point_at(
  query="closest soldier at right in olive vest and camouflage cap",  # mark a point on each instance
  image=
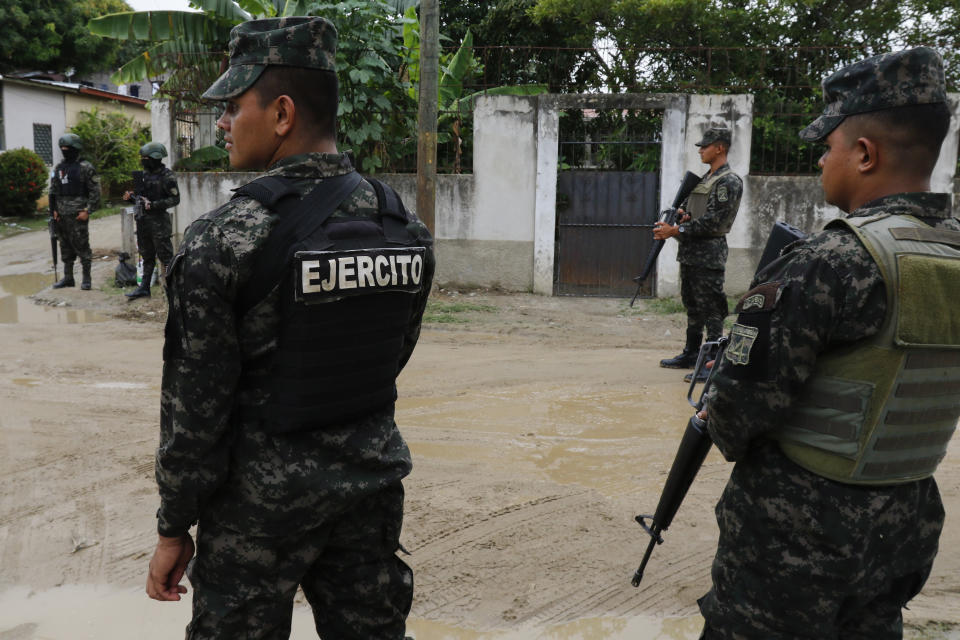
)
(838, 392)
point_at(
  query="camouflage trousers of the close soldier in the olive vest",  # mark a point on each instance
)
(801, 556)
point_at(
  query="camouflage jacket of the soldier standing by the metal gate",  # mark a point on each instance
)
(703, 242)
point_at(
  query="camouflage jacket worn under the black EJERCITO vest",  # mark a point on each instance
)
(214, 460)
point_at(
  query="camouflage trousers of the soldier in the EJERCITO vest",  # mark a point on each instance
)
(358, 588)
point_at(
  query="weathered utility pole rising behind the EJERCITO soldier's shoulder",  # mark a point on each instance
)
(427, 116)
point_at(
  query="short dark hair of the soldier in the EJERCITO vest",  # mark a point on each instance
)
(314, 92)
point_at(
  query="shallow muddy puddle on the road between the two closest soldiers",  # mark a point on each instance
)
(581, 438)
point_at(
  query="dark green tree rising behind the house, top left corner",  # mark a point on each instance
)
(51, 35)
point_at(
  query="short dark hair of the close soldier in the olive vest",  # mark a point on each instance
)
(915, 132)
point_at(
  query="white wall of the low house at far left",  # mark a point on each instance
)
(23, 106)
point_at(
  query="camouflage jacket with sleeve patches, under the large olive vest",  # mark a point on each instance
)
(823, 293)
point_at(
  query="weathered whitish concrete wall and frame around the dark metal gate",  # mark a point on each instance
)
(497, 227)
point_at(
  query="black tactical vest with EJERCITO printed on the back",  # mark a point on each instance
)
(347, 290)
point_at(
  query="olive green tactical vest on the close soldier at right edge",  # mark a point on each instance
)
(883, 410)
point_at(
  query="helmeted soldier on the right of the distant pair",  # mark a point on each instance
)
(160, 192)
